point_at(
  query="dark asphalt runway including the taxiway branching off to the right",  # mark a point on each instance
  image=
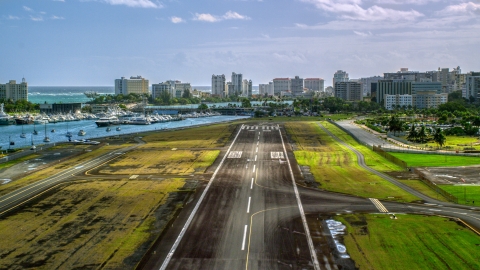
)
(249, 218)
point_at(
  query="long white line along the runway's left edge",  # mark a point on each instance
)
(192, 215)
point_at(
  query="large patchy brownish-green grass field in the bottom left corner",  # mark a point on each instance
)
(85, 225)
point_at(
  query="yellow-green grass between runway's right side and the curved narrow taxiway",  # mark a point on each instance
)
(335, 168)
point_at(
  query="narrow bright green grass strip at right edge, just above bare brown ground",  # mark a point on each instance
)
(434, 160)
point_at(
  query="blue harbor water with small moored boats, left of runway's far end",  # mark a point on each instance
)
(11, 133)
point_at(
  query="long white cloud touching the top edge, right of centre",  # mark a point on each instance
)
(351, 9)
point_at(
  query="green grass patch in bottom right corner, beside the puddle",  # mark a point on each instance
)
(410, 242)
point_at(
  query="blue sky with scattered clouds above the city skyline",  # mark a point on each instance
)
(93, 42)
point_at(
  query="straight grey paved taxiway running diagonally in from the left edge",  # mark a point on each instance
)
(24, 194)
